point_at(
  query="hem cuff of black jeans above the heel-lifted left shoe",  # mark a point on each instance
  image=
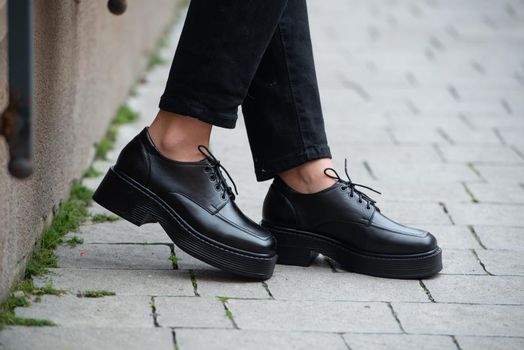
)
(192, 108)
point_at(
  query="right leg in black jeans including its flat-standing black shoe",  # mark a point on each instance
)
(309, 208)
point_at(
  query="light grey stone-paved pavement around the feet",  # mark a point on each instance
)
(426, 100)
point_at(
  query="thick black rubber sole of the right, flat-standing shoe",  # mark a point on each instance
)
(300, 248)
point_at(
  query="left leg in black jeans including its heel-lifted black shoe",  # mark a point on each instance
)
(160, 175)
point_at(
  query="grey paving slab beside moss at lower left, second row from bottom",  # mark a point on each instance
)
(108, 312)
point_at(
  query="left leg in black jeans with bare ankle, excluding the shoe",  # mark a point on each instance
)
(218, 53)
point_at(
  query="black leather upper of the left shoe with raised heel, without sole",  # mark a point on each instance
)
(193, 190)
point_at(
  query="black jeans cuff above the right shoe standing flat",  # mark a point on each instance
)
(268, 170)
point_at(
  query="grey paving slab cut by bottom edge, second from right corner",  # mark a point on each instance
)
(399, 342)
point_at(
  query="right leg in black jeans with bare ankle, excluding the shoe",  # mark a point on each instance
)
(282, 109)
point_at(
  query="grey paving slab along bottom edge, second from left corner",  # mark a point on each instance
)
(219, 339)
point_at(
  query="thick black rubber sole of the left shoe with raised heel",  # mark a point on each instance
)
(130, 200)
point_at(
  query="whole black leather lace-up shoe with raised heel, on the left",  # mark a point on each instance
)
(192, 202)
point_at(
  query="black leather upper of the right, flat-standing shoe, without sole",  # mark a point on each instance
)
(336, 214)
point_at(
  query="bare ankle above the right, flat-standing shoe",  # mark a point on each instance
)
(309, 177)
